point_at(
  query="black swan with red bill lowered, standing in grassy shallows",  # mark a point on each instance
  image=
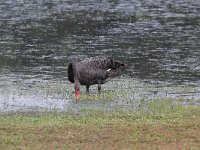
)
(93, 70)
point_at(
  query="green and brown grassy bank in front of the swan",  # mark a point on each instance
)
(157, 124)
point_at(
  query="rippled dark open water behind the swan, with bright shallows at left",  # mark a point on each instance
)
(158, 39)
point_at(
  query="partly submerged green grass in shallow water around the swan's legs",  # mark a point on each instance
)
(123, 91)
